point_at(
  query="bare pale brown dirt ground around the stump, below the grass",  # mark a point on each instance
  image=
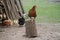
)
(46, 31)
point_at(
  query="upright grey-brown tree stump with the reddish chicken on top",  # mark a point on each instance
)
(31, 30)
